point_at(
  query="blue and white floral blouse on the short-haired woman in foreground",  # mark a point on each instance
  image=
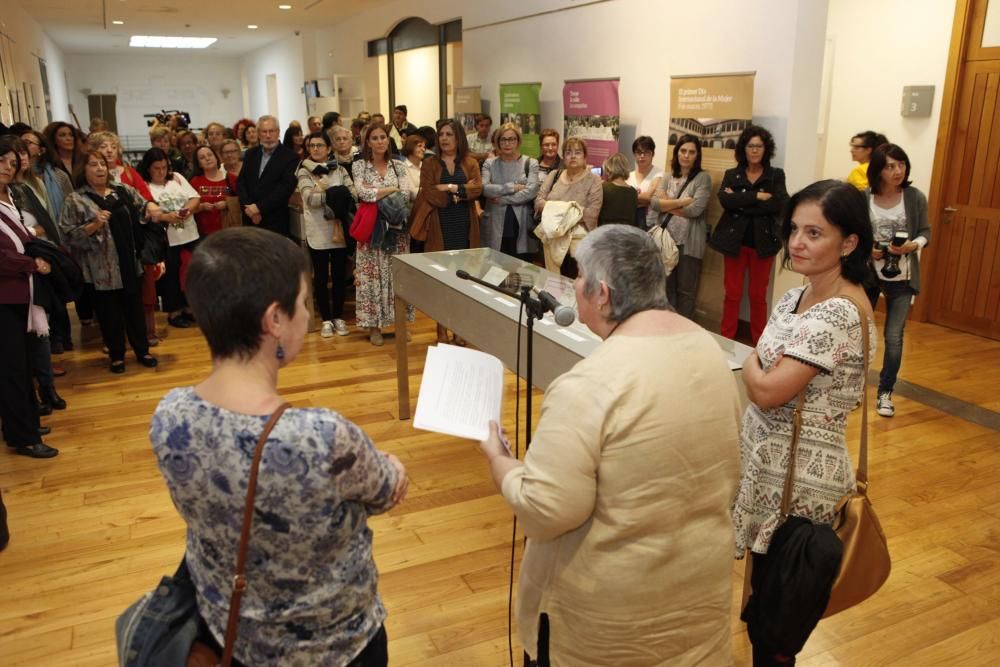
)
(312, 594)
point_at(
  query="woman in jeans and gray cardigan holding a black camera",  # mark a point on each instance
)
(899, 219)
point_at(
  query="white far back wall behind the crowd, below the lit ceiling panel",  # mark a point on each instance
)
(146, 81)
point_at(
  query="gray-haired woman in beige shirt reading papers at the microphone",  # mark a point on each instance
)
(624, 495)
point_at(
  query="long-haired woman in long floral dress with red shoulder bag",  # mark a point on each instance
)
(377, 175)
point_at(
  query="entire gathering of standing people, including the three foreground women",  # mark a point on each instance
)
(133, 233)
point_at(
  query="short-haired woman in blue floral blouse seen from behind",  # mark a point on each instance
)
(312, 597)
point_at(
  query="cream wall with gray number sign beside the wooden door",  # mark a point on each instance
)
(879, 47)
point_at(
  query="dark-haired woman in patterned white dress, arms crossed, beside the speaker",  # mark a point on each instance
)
(812, 342)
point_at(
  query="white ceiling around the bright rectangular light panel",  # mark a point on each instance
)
(85, 26)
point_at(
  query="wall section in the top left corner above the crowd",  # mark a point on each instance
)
(31, 43)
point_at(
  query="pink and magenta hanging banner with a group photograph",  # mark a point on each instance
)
(591, 112)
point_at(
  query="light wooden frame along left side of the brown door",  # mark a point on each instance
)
(968, 25)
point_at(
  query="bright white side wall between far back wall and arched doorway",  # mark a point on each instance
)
(284, 59)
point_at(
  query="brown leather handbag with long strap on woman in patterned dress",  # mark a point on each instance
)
(866, 563)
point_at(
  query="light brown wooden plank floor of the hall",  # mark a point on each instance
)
(94, 528)
